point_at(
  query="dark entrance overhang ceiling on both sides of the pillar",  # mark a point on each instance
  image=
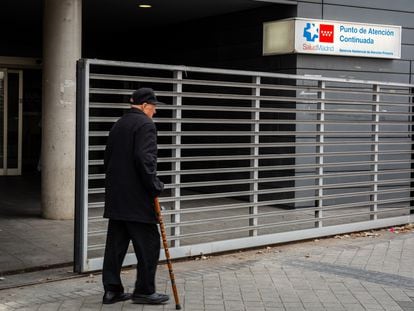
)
(118, 12)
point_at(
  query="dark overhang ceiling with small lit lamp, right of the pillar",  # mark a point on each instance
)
(121, 12)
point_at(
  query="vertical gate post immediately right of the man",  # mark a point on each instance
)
(177, 115)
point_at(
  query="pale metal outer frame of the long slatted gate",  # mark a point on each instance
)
(81, 261)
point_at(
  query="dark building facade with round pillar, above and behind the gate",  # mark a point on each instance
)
(44, 39)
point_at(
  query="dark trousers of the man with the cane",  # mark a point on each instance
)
(146, 241)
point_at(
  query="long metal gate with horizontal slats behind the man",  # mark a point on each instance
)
(250, 158)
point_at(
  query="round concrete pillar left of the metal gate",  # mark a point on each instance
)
(62, 21)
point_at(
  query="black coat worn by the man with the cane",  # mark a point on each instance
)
(131, 169)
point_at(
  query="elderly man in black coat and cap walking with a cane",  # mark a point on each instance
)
(130, 188)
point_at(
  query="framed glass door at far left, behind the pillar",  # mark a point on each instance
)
(11, 91)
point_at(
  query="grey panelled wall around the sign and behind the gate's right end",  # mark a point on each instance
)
(397, 12)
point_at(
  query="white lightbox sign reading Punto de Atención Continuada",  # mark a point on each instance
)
(310, 36)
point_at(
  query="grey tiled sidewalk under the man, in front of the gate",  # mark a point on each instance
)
(372, 272)
